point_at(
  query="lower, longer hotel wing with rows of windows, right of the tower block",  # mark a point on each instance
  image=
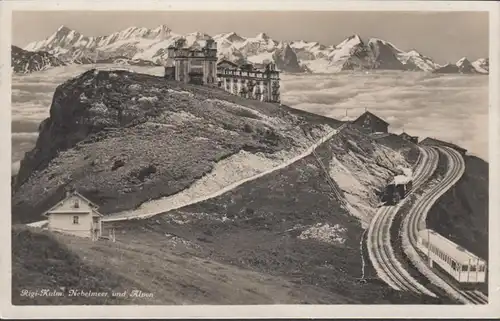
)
(247, 82)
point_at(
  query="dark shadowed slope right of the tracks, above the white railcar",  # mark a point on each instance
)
(462, 213)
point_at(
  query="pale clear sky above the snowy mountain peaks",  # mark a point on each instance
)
(444, 36)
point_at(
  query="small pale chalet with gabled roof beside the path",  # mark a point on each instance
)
(75, 215)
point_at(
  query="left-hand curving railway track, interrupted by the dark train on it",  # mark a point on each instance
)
(380, 250)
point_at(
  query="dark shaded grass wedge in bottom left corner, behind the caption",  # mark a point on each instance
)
(39, 262)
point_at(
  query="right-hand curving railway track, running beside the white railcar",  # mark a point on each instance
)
(417, 218)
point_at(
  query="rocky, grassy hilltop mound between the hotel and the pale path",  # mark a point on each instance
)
(124, 138)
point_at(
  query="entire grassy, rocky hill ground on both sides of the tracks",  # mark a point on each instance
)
(294, 235)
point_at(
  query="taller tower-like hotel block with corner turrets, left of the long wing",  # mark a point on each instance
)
(195, 64)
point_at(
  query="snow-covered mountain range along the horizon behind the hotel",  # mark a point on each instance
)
(136, 45)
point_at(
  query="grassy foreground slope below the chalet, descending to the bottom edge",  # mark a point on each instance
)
(168, 268)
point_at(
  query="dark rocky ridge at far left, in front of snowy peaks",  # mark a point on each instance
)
(23, 61)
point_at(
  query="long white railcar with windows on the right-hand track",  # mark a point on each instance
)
(462, 265)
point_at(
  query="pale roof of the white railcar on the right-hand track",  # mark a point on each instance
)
(455, 251)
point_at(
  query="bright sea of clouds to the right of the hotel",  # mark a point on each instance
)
(450, 107)
